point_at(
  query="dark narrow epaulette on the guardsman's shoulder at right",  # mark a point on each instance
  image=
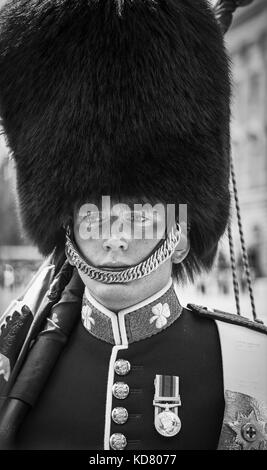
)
(228, 318)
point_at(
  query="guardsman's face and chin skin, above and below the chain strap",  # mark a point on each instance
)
(120, 238)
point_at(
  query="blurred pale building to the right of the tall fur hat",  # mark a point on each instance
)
(247, 42)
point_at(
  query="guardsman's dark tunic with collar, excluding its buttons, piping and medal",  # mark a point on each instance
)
(73, 411)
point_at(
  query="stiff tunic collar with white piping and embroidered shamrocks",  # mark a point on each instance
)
(132, 324)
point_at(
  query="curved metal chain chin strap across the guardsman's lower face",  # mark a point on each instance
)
(164, 252)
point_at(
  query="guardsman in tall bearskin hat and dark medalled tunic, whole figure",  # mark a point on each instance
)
(117, 115)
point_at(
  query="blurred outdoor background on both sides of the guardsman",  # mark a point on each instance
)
(247, 44)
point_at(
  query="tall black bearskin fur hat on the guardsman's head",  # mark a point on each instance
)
(121, 98)
